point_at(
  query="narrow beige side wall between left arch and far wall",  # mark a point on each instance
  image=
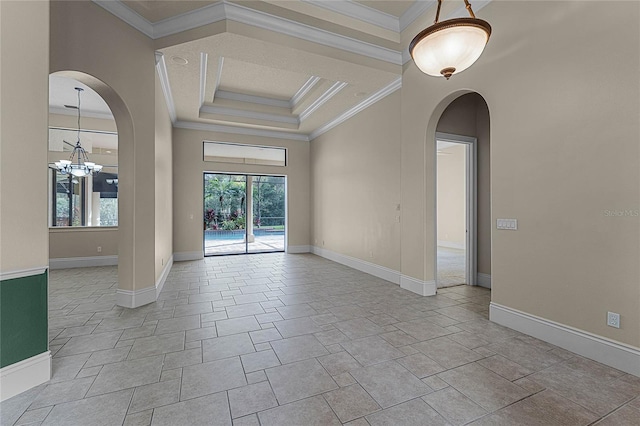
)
(163, 182)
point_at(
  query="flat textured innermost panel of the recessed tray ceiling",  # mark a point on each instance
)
(258, 80)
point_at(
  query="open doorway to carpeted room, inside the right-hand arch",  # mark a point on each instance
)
(455, 211)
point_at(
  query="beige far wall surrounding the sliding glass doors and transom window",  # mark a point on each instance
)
(188, 181)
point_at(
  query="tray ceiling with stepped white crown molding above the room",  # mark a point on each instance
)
(280, 68)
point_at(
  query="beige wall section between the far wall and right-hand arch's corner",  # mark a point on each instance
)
(355, 171)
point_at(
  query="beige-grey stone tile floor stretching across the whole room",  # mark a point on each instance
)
(277, 339)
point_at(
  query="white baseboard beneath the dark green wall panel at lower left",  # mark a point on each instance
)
(24, 375)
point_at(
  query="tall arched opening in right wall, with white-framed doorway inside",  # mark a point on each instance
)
(460, 254)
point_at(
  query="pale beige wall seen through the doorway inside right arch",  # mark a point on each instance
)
(452, 198)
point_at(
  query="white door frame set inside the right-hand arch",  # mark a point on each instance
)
(471, 204)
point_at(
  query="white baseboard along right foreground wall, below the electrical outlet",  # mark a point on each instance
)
(608, 352)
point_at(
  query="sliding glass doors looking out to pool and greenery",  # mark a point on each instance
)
(244, 214)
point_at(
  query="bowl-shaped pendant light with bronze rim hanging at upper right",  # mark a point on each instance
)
(450, 46)
